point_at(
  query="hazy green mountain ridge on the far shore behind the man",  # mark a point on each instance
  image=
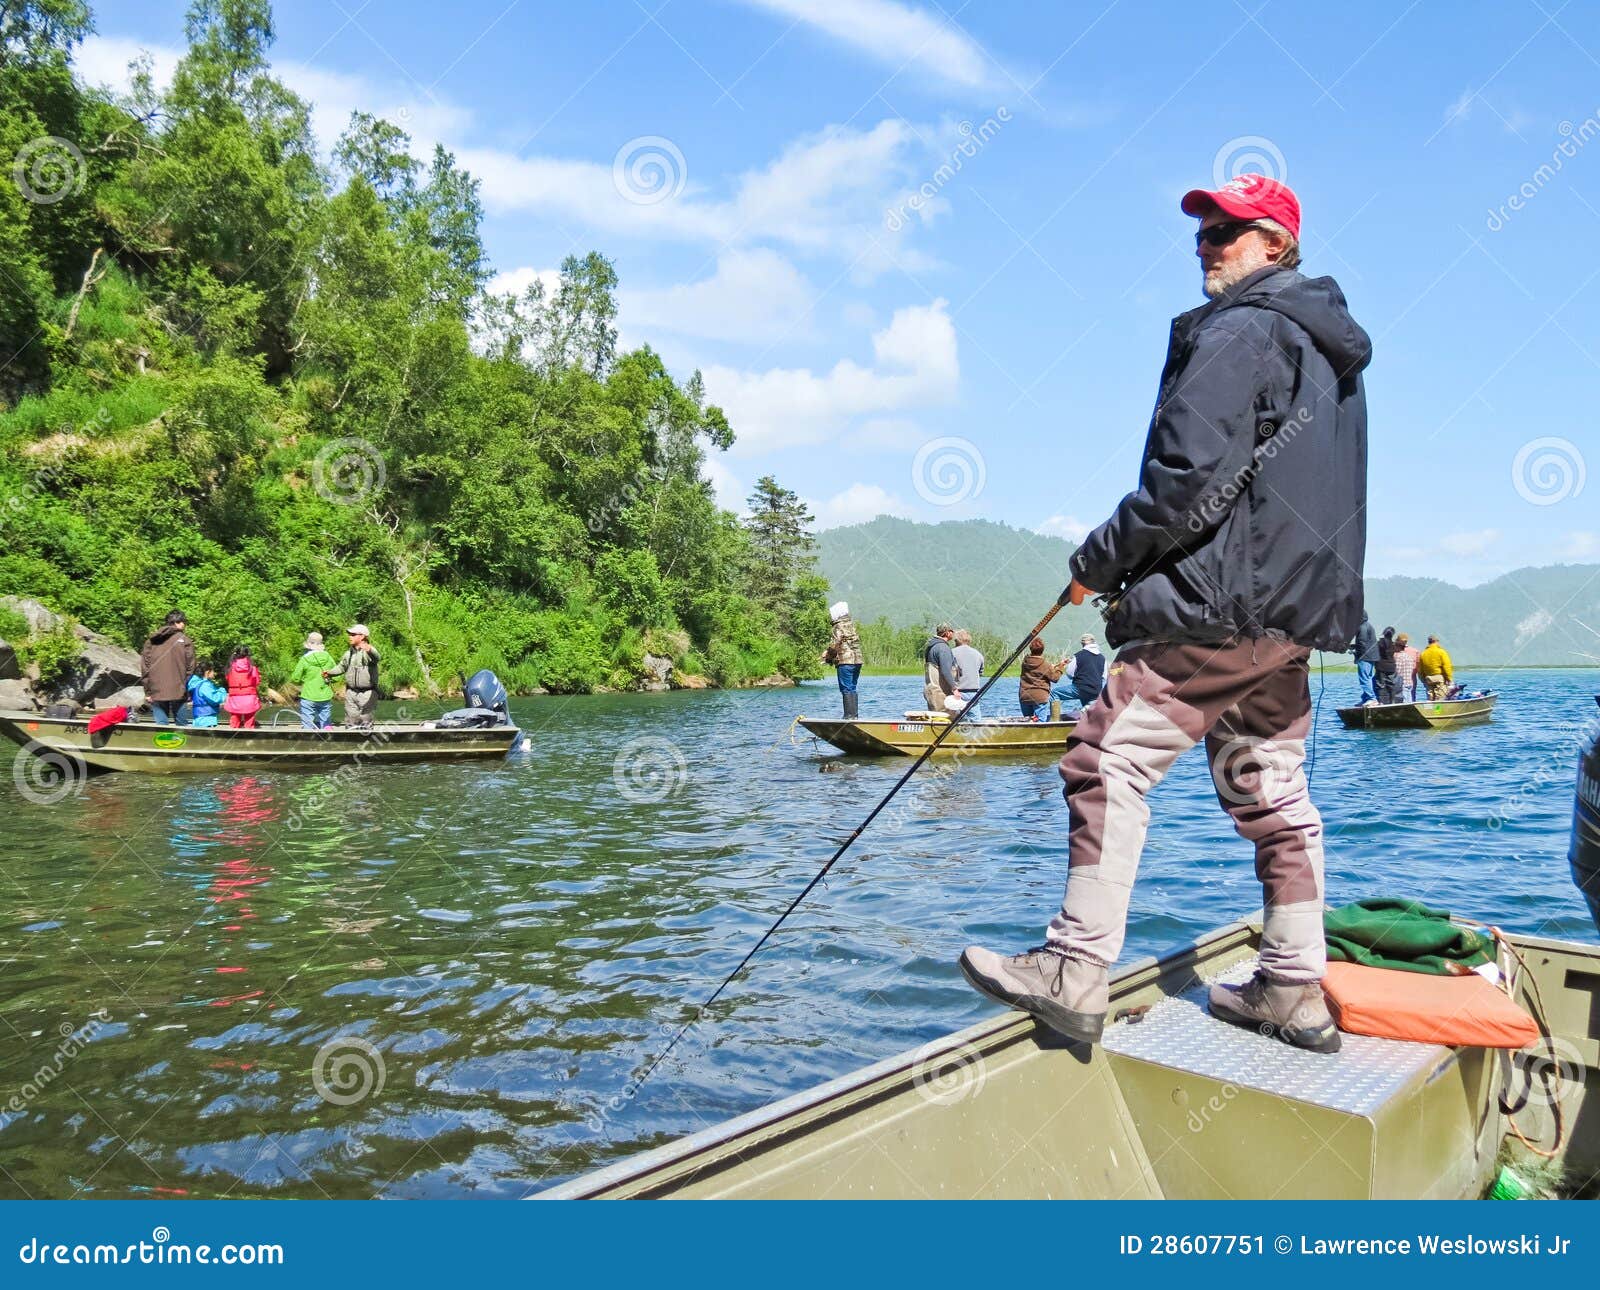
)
(988, 575)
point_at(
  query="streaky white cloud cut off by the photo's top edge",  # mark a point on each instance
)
(897, 36)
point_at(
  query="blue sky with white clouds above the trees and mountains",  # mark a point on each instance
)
(983, 342)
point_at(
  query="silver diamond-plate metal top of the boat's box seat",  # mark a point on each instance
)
(1180, 1033)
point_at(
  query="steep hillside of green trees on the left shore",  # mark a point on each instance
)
(265, 385)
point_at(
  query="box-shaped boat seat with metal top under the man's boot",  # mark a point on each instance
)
(1228, 1112)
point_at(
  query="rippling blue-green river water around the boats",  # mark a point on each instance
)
(441, 980)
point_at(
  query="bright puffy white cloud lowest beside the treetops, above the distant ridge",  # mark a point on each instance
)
(914, 366)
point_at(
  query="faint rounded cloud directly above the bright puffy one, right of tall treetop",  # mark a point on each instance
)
(756, 297)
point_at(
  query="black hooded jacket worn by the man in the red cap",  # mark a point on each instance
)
(1250, 516)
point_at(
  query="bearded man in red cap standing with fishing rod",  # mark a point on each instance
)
(1238, 555)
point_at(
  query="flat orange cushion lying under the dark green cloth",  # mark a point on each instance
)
(1454, 1011)
